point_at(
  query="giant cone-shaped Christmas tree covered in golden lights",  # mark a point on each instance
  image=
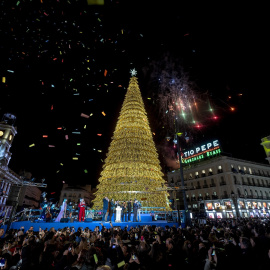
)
(132, 168)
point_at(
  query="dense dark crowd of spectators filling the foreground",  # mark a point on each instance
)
(222, 244)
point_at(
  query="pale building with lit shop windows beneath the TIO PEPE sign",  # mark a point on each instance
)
(223, 187)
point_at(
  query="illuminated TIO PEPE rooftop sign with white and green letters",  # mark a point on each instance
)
(200, 152)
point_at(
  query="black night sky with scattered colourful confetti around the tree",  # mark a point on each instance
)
(61, 59)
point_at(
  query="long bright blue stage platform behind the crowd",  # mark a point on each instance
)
(91, 225)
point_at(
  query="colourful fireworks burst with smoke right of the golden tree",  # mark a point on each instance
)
(182, 106)
